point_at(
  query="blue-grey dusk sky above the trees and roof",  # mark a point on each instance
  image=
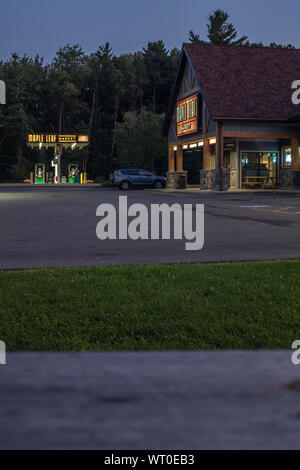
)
(42, 26)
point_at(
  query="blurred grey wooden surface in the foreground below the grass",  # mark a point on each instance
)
(172, 400)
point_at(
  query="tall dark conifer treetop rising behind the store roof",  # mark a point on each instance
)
(219, 31)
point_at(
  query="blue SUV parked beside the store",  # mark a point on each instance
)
(127, 178)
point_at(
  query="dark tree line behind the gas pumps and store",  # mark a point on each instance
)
(120, 101)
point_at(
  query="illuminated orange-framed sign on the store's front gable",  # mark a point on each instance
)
(187, 116)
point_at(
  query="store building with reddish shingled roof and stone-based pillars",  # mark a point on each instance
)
(232, 123)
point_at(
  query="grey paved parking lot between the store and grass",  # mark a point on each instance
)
(53, 226)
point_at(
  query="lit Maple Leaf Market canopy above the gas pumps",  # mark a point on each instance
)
(52, 140)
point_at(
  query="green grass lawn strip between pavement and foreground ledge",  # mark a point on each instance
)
(195, 306)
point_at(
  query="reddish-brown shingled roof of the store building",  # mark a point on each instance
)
(241, 82)
